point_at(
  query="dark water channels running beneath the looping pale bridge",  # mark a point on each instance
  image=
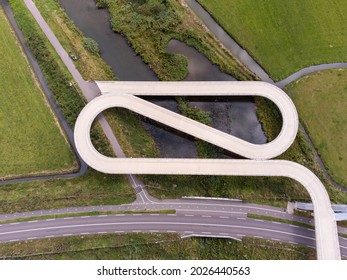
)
(234, 116)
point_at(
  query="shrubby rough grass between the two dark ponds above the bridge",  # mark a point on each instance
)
(150, 25)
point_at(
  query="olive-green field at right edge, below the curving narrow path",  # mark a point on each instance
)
(321, 100)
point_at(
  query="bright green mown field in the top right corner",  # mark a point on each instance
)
(285, 36)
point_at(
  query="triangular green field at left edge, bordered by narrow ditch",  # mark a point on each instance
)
(30, 139)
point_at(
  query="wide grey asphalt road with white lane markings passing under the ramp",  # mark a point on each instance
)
(185, 223)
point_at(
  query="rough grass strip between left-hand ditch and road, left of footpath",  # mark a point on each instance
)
(93, 188)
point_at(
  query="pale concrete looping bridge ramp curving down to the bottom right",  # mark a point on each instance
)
(122, 94)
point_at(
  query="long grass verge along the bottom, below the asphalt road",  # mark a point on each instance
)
(151, 246)
